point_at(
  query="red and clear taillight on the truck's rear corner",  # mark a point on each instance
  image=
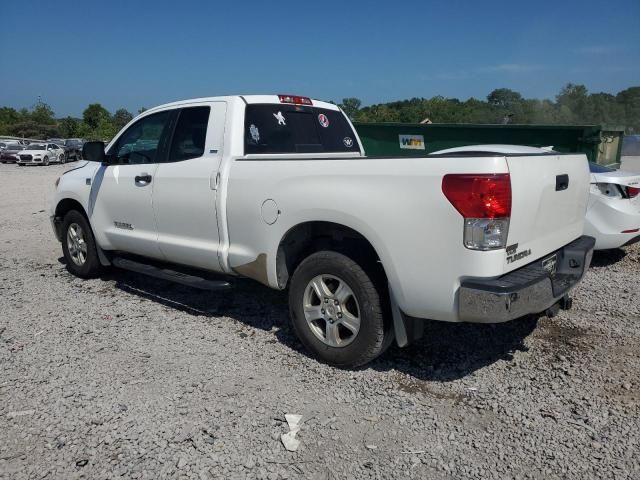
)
(485, 203)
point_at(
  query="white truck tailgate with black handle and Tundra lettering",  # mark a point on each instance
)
(549, 202)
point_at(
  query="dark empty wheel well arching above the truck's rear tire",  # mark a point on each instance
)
(310, 237)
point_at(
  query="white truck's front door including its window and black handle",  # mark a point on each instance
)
(121, 205)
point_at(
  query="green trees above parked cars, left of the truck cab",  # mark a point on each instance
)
(97, 123)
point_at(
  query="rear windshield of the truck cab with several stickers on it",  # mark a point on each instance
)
(275, 128)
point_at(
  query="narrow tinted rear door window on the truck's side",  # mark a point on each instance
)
(190, 134)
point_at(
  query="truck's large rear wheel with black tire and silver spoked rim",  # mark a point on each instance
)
(330, 337)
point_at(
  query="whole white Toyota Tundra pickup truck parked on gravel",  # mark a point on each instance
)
(277, 188)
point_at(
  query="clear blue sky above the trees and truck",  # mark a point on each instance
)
(132, 54)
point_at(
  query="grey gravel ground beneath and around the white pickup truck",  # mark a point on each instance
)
(127, 376)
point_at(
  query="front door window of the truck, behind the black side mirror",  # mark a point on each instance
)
(142, 141)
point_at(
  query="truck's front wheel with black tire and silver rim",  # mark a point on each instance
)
(79, 249)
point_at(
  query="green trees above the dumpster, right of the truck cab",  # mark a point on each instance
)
(573, 105)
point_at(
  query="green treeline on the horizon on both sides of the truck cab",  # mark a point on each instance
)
(573, 105)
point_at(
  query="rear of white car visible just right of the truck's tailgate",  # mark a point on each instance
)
(613, 215)
